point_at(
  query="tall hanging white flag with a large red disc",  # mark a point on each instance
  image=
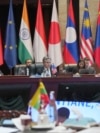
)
(54, 44)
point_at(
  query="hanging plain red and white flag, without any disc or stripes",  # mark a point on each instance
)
(39, 42)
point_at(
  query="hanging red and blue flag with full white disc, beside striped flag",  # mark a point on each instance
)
(70, 52)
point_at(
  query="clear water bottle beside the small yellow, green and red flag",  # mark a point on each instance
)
(52, 108)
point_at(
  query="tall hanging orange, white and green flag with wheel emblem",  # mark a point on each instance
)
(25, 43)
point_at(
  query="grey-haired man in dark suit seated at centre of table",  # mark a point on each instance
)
(48, 70)
